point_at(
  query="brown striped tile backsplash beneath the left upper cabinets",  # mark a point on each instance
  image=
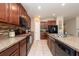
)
(5, 28)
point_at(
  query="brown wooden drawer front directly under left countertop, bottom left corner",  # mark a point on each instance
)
(10, 50)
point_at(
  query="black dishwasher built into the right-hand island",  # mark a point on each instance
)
(64, 50)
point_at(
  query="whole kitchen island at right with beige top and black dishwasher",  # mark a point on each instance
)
(63, 46)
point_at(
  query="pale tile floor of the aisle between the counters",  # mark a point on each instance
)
(40, 48)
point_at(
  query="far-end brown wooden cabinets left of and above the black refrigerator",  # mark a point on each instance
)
(44, 26)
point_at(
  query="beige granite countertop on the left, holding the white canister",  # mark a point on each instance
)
(6, 42)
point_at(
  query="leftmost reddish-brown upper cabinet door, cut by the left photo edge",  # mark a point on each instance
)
(4, 12)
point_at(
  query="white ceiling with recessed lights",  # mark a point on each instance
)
(47, 9)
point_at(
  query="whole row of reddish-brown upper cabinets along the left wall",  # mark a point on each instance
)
(10, 13)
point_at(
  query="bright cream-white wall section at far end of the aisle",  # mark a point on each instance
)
(35, 27)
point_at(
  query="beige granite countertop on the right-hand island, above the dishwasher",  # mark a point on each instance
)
(71, 41)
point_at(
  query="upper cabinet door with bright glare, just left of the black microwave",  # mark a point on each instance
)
(14, 13)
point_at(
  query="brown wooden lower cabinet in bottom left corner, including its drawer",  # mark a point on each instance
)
(12, 51)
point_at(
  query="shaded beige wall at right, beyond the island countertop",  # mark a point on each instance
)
(70, 26)
